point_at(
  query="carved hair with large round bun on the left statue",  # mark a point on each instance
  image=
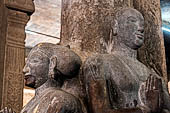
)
(68, 62)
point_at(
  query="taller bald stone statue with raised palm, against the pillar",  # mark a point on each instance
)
(117, 82)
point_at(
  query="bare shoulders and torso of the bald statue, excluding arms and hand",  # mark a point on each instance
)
(123, 76)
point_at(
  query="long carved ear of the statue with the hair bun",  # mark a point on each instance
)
(52, 66)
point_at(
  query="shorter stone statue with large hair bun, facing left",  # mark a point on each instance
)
(51, 69)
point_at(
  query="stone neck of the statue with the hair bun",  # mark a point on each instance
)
(49, 83)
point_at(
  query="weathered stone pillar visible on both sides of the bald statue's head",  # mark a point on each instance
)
(86, 28)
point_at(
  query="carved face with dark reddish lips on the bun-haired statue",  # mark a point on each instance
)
(36, 69)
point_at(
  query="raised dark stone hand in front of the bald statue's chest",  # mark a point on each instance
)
(151, 94)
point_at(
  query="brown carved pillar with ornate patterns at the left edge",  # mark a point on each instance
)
(14, 15)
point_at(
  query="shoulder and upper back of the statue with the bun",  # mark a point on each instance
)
(53, 100)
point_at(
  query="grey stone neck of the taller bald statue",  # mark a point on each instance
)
(125, 51)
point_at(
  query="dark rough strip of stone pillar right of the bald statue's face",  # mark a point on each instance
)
(152, 53)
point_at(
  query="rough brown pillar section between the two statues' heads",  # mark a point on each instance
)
(85, 24)
